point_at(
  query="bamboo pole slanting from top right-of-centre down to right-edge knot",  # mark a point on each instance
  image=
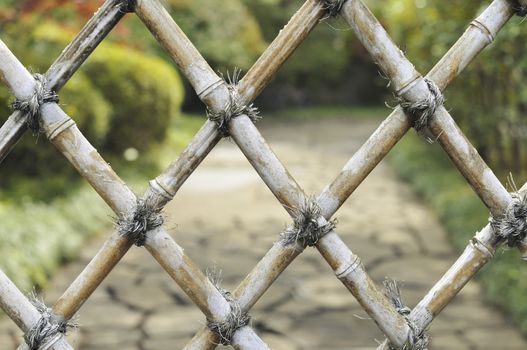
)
(409, 84)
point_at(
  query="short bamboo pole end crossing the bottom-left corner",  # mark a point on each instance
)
(22, 312)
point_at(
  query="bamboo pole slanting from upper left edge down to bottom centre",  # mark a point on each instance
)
(63, 133)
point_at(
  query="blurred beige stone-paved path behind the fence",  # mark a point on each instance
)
(226, 219)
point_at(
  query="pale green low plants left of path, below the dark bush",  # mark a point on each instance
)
(37, 237)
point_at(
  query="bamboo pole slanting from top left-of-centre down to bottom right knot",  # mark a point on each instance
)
(270, 169)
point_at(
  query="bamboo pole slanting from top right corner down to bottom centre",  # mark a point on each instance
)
(361, 164)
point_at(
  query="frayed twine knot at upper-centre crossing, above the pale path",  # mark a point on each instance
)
(234, 107)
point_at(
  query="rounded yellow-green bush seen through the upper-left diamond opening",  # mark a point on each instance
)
(145, 94)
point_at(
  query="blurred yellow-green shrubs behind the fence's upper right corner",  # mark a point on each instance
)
(489, 100)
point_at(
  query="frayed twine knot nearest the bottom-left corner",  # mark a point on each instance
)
(48, 329)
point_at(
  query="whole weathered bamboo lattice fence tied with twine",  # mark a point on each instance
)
(230, 105)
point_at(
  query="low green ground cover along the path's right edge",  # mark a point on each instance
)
(430, 172)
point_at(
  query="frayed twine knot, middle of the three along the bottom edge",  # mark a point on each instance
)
(236, 319)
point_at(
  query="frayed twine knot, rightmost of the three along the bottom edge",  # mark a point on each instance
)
(417, 340)
